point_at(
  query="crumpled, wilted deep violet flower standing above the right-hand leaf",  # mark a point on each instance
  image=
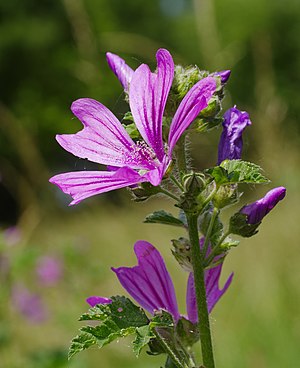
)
(231, 141)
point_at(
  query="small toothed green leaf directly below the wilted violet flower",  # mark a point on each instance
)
(237, 171)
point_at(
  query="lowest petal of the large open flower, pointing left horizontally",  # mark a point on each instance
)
(84, 184)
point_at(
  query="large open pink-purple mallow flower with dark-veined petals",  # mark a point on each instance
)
(105, 141)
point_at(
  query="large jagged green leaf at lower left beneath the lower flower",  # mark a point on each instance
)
(117, 319)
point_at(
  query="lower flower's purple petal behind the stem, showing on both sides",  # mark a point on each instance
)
(213, 293)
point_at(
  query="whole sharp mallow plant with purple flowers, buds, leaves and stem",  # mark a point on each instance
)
(163, 107)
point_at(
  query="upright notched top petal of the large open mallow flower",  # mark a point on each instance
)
(148, 96)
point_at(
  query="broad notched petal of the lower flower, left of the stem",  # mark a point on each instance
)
(149, 283)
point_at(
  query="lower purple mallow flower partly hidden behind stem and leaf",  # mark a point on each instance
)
(150, 284)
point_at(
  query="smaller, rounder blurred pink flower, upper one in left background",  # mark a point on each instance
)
(49, 270)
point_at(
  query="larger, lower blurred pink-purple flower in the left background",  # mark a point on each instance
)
(30, 305)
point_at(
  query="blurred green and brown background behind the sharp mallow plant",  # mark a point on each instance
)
(53, 256)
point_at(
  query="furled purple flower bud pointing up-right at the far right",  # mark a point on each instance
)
(256, 211)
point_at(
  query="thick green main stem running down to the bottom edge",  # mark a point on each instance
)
(197, 262)
